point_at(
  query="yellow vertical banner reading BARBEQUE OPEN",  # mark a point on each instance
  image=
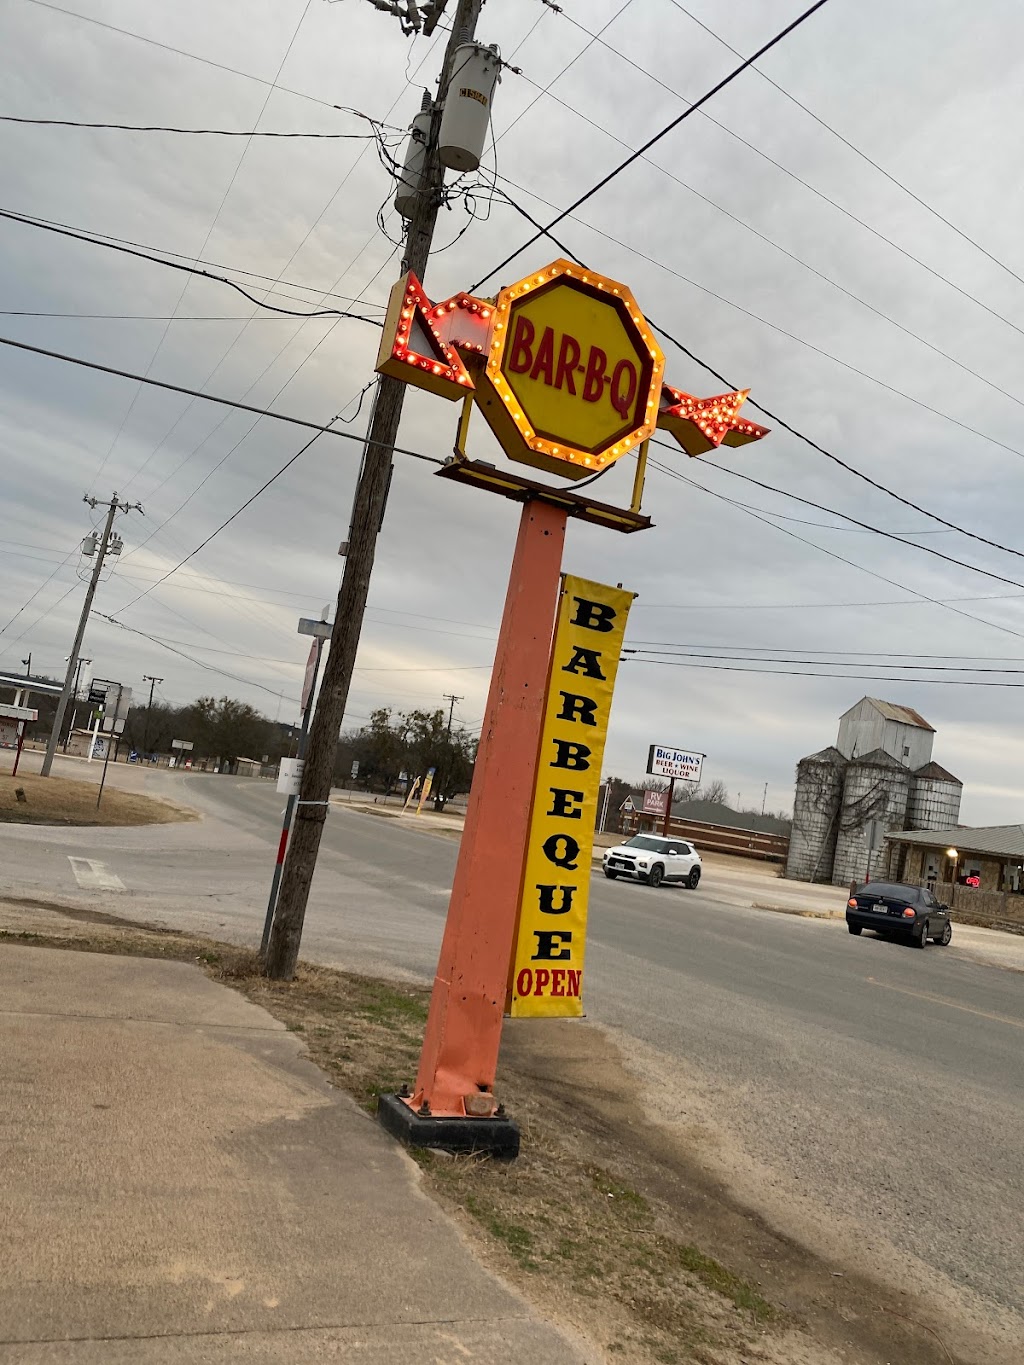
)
(547, 977)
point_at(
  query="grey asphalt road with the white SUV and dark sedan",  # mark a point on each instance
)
(864, 1095)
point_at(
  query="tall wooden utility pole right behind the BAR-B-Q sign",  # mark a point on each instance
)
(368, 515)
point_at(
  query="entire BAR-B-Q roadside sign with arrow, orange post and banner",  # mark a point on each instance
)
(570, 377)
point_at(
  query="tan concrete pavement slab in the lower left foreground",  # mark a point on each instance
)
(181, 1186)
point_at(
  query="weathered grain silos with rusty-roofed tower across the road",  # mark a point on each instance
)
(877, 777)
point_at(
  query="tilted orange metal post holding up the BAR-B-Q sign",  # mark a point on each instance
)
(464, 1033)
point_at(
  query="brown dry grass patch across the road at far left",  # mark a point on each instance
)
(58, 801)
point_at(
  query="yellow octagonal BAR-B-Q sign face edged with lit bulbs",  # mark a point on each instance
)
(574, 369)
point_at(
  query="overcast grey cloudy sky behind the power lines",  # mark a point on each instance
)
(902, 357)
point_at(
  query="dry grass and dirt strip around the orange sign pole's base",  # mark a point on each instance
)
(607, 1221)
